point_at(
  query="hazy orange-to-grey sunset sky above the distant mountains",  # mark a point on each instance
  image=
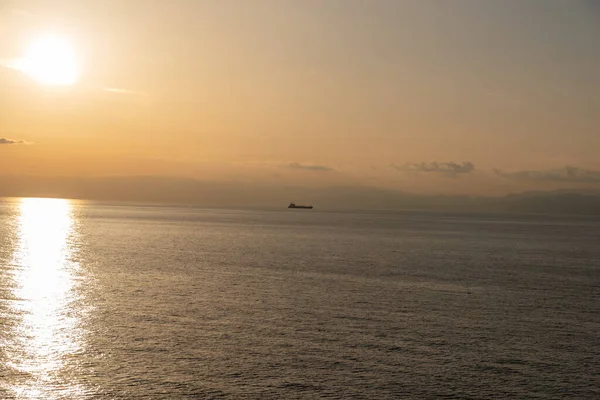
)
(422, 96)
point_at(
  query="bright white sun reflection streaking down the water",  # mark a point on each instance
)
(45, 280)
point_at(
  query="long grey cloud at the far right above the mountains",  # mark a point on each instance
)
(566, 174)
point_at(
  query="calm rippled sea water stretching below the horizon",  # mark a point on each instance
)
(120, 302)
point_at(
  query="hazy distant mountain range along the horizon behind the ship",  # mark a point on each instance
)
(147, 189)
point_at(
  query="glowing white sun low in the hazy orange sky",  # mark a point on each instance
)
(51, 60)
